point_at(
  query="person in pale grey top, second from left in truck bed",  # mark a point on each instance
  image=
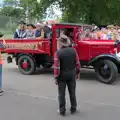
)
(30, 32)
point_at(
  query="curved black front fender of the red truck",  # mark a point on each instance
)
(111, 57)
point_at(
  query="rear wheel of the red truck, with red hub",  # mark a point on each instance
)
(30, 65)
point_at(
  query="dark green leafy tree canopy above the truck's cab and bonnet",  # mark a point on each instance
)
(88, 11)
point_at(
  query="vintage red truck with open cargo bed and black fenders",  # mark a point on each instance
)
(102, 55)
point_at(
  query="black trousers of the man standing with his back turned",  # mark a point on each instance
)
(71, 84)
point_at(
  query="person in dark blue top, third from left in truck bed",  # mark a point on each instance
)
(39, 34)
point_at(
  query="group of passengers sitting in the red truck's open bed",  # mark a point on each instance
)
(30, 31)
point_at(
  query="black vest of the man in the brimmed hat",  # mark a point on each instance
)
(67, 57)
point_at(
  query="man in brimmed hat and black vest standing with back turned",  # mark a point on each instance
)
(66, 69)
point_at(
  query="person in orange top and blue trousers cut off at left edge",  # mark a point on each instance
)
(2, 46)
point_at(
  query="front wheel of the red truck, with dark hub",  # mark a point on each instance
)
(106, 71)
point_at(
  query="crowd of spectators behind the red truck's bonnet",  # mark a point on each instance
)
(110, 32)
